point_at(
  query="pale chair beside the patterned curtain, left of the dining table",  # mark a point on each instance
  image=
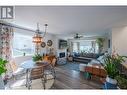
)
(17, 72)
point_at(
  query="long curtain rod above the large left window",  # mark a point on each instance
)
(16, 26)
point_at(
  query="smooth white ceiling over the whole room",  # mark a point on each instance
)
(68, 20)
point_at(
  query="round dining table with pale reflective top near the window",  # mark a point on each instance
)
(30, 64)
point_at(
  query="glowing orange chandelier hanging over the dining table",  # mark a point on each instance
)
(37, 38)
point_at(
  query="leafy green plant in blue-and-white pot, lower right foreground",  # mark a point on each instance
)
(111, 63)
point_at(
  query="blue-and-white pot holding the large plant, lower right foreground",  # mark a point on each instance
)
(110, 83)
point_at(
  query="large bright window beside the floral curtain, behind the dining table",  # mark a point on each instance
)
(22, 45)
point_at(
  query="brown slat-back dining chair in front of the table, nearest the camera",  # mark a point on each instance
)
(36, 73)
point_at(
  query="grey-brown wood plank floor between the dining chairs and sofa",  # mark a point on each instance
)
(72, 79)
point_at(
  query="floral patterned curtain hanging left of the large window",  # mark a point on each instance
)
(6, 36)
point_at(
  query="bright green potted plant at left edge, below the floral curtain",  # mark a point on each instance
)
(2, 70)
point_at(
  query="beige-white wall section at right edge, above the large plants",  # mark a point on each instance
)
(119, 40)
